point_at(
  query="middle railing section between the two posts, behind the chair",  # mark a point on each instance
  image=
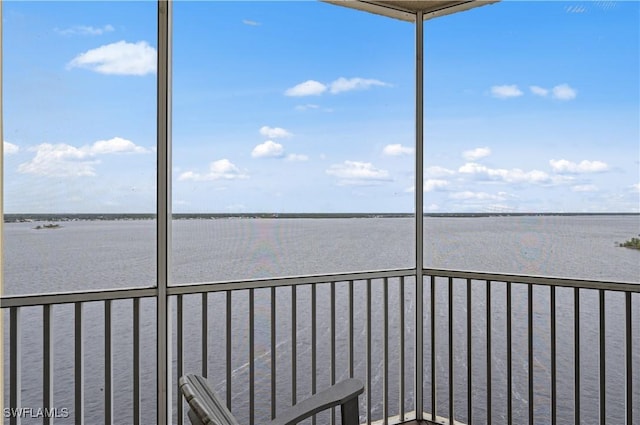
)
(345, 298)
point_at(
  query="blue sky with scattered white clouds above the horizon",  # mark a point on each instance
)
(308, 107)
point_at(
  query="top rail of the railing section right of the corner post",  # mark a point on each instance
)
(536, 280)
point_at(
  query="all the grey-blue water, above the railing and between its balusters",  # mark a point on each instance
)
(118, 254)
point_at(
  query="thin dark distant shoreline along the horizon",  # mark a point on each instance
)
(27, 217)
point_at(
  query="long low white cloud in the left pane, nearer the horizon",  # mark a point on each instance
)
(63, 160)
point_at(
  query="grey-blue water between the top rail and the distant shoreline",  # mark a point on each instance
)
(117, 254)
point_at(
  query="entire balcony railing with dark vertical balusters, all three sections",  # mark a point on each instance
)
(496, 348)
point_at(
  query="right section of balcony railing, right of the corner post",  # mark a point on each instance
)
(547, 309)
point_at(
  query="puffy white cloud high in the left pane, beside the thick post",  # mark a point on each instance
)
(119, 58)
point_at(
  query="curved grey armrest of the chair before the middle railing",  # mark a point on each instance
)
(344, 393)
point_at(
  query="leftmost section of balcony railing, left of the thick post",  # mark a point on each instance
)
(72, 339)
